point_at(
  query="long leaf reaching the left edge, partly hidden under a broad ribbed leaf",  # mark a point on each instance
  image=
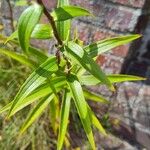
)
(38, 93)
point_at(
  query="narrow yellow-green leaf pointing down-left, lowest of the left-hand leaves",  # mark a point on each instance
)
(36, 112)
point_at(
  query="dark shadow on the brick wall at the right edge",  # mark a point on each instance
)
(138, 59)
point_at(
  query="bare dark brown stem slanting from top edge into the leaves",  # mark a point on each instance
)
(52, 22)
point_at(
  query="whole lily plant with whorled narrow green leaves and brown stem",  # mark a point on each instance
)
(59, 79)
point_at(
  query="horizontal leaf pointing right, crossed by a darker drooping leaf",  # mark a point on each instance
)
(114, 78)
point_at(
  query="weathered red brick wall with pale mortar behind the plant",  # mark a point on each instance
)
(117, 17)
